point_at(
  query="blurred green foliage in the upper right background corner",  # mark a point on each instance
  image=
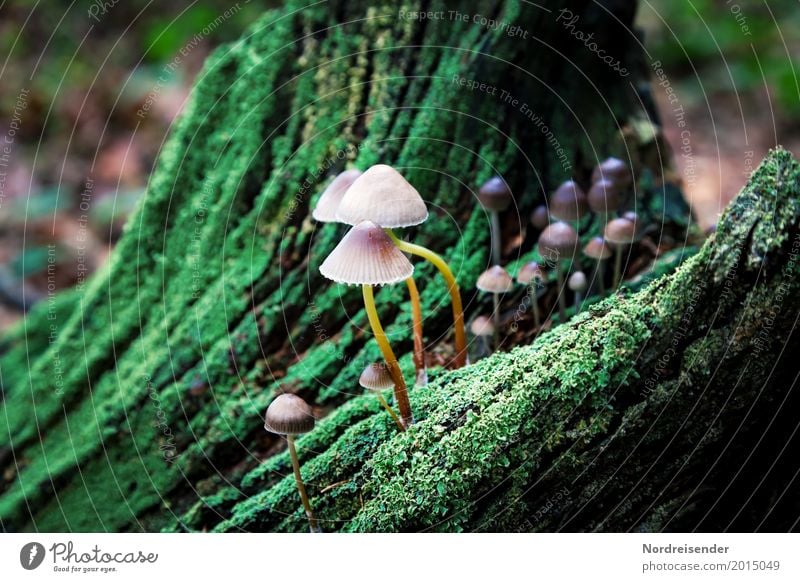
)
(728, 45)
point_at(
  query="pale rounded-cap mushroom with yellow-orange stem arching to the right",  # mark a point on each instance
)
(383, 196)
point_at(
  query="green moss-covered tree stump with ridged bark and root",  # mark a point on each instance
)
(135, 402)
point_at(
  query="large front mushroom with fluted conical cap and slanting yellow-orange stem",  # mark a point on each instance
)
(366, 256)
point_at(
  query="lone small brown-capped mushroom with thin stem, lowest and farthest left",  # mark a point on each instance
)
(289, 415)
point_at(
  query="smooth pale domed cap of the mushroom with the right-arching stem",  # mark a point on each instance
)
(384, 197)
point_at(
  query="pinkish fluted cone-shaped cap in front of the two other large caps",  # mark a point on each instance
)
(366, 256)
